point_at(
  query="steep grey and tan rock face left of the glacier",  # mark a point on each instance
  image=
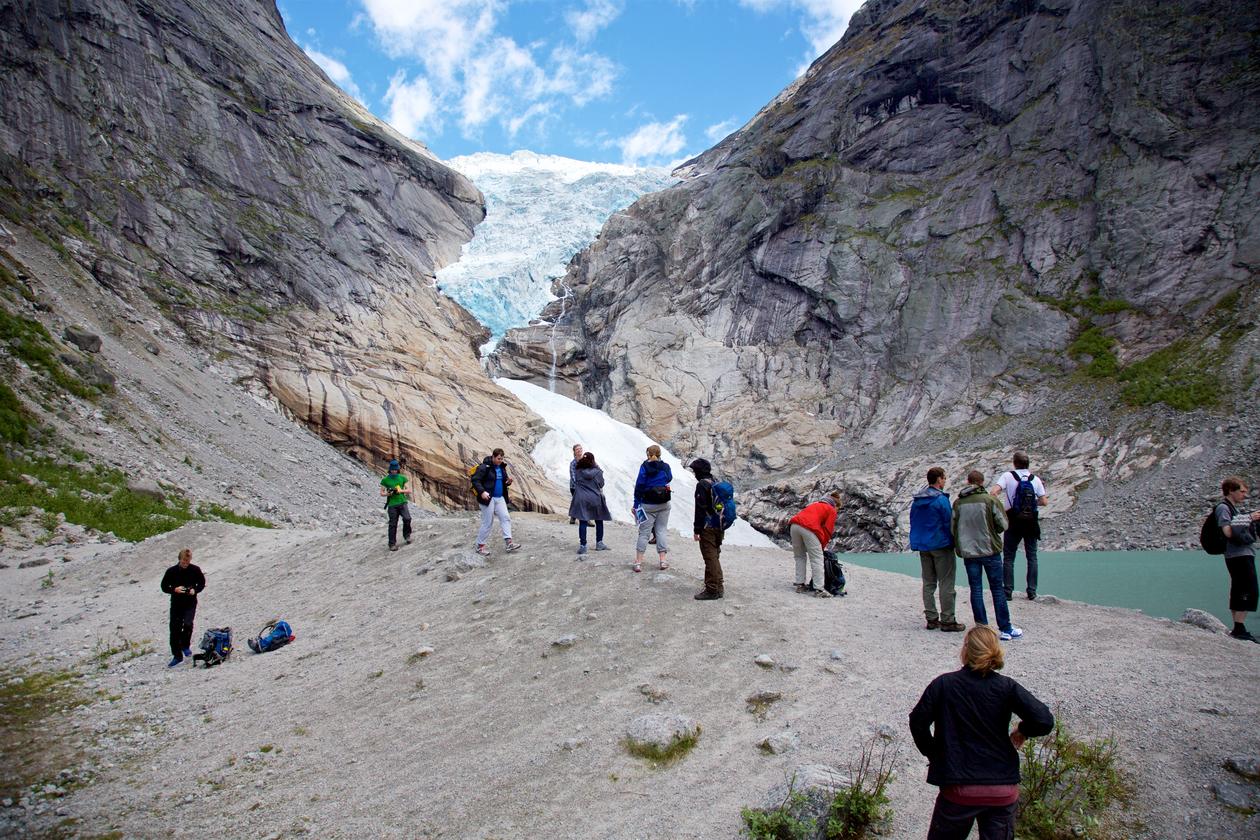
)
(191, 153)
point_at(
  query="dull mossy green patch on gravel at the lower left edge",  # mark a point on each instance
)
(32, 706)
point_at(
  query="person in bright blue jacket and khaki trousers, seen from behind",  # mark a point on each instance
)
(931, 535)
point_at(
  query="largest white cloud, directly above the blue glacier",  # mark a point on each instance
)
(481, 76)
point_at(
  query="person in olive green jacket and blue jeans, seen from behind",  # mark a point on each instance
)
(977, 531)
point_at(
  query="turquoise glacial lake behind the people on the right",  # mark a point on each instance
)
(1160, 584)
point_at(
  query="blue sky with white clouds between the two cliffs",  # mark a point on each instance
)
(644, 82)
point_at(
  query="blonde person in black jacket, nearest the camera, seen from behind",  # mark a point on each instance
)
(962, 725)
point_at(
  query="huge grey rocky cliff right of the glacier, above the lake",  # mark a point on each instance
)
(970, 226)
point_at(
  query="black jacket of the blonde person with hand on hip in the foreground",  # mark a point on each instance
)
(963, 726)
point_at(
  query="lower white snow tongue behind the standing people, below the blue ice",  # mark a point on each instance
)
(619, 450)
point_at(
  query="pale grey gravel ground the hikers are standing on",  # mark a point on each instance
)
(433, 693)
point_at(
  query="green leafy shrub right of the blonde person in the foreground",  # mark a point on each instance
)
(1069, 788)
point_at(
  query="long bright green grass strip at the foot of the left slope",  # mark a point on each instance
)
(99, 498)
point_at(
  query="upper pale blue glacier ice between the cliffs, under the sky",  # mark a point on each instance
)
(540, 211)
